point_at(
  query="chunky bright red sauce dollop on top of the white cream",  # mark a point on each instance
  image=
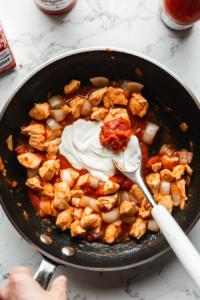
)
(115, 134)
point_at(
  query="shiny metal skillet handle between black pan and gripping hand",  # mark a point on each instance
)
(45, 272)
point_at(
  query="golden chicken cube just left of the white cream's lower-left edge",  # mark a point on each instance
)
(49, 169)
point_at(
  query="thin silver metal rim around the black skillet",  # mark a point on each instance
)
(70, 53)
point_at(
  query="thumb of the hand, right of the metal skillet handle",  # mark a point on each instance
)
(59, 287)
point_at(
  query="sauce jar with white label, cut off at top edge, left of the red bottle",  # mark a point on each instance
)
(55, 7)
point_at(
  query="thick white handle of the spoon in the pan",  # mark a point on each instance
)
(179, 242)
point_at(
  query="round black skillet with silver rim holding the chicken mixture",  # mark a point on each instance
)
(162, 89)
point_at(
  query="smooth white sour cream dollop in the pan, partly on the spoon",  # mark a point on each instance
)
(81, 146)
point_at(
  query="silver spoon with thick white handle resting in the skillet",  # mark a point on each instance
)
(178, 240)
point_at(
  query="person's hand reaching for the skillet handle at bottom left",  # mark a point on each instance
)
(22, 286)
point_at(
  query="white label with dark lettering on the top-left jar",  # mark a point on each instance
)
(54, 5)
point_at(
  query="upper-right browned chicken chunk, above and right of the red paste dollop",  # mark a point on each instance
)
(138, 105)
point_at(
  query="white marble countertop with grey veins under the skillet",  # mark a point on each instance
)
(37, 37)
